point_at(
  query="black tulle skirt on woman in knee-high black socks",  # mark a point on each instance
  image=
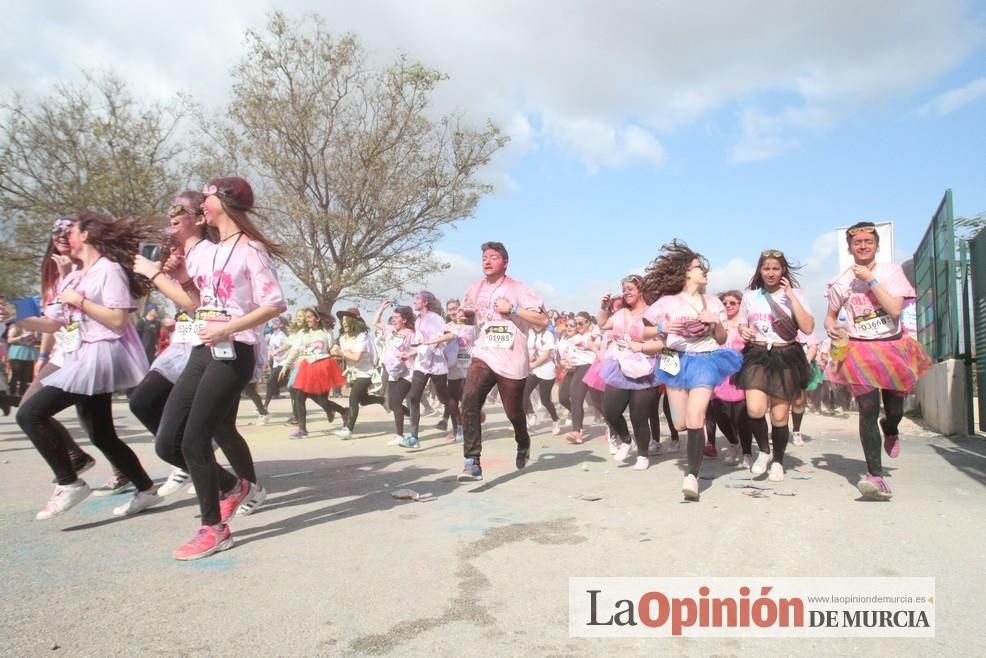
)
(781, 372)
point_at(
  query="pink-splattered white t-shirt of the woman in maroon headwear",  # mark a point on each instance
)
(237, 277)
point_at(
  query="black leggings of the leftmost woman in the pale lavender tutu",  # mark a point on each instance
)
(34, 416)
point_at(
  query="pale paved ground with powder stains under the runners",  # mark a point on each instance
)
(333, 564)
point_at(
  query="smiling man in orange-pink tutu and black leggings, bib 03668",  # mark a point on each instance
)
(882, 360)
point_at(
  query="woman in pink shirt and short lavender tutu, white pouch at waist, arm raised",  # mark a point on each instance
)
(624, 385)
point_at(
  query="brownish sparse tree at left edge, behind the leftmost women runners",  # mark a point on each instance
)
(88, 146)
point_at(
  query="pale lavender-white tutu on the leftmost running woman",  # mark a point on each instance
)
(105, 366)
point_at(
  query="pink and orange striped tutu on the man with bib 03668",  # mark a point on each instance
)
(894, 365)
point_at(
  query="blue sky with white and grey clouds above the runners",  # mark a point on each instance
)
(733, 126)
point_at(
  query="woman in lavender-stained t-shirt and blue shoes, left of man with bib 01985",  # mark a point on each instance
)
(430, 337)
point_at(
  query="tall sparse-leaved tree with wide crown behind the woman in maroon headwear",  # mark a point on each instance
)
(358, 180)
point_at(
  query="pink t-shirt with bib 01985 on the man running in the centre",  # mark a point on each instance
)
(502, 339)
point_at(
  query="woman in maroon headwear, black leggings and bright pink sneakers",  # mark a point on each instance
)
(234, 287)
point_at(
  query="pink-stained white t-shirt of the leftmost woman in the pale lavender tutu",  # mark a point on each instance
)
(105, 283)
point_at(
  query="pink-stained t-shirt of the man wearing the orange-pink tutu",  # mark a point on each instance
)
(865, 318)
